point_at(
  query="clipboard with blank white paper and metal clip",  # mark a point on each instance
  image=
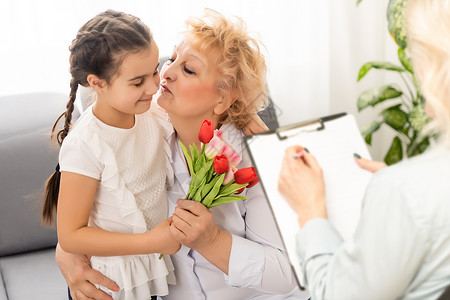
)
(333, 140)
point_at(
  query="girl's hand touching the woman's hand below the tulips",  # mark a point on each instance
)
(161, 238)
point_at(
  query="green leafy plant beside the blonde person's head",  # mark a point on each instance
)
(405, 113)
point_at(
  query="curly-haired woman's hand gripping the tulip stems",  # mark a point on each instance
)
(193, 225)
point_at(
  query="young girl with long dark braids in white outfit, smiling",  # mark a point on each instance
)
(111, 175)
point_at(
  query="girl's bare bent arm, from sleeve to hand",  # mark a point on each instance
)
(76, 198)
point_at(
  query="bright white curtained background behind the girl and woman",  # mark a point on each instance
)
(314, 48)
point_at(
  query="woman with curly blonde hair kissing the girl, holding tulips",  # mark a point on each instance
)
(232, 251)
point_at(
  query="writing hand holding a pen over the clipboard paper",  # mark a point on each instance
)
(301, 184)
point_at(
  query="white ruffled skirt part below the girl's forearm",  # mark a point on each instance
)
(139, 276)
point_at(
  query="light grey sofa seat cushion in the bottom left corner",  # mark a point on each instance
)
(33, 275)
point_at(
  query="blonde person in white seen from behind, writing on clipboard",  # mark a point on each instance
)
(401, 247)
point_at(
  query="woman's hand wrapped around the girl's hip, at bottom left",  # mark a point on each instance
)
(80, 276)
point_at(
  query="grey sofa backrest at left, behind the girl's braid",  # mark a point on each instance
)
(27, 159)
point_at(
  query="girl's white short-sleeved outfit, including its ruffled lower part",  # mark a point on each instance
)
(131, 167)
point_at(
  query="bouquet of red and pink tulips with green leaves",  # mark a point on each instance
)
(215, 179)
